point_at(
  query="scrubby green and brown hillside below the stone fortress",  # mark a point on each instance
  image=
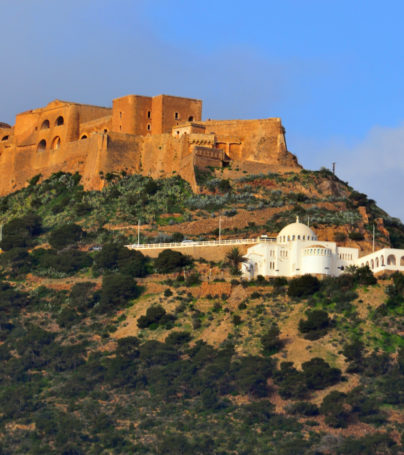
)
(104, 351)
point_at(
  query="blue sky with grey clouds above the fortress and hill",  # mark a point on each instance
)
(332, 70)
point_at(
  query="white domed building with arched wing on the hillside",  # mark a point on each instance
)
(297, 251)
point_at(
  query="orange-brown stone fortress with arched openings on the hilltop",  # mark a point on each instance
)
(157, 136)
